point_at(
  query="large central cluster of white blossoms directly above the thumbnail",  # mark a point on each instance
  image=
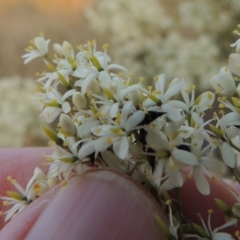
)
(102, 112)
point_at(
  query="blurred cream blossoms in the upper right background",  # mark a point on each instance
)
(179, 38)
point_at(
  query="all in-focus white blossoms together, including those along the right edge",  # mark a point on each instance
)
(106, 118)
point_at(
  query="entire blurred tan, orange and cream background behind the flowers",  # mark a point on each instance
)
(181, 38)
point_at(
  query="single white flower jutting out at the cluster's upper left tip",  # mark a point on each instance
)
(40, 49)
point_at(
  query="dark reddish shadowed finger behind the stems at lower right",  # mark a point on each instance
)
(194, 202)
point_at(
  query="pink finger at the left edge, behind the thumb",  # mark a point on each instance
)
(20, 164)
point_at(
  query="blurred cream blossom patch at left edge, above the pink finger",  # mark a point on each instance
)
(19, 121)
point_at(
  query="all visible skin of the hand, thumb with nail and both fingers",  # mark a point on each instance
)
(100, 204)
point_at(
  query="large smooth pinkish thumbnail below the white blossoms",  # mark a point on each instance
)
(99, 205)
